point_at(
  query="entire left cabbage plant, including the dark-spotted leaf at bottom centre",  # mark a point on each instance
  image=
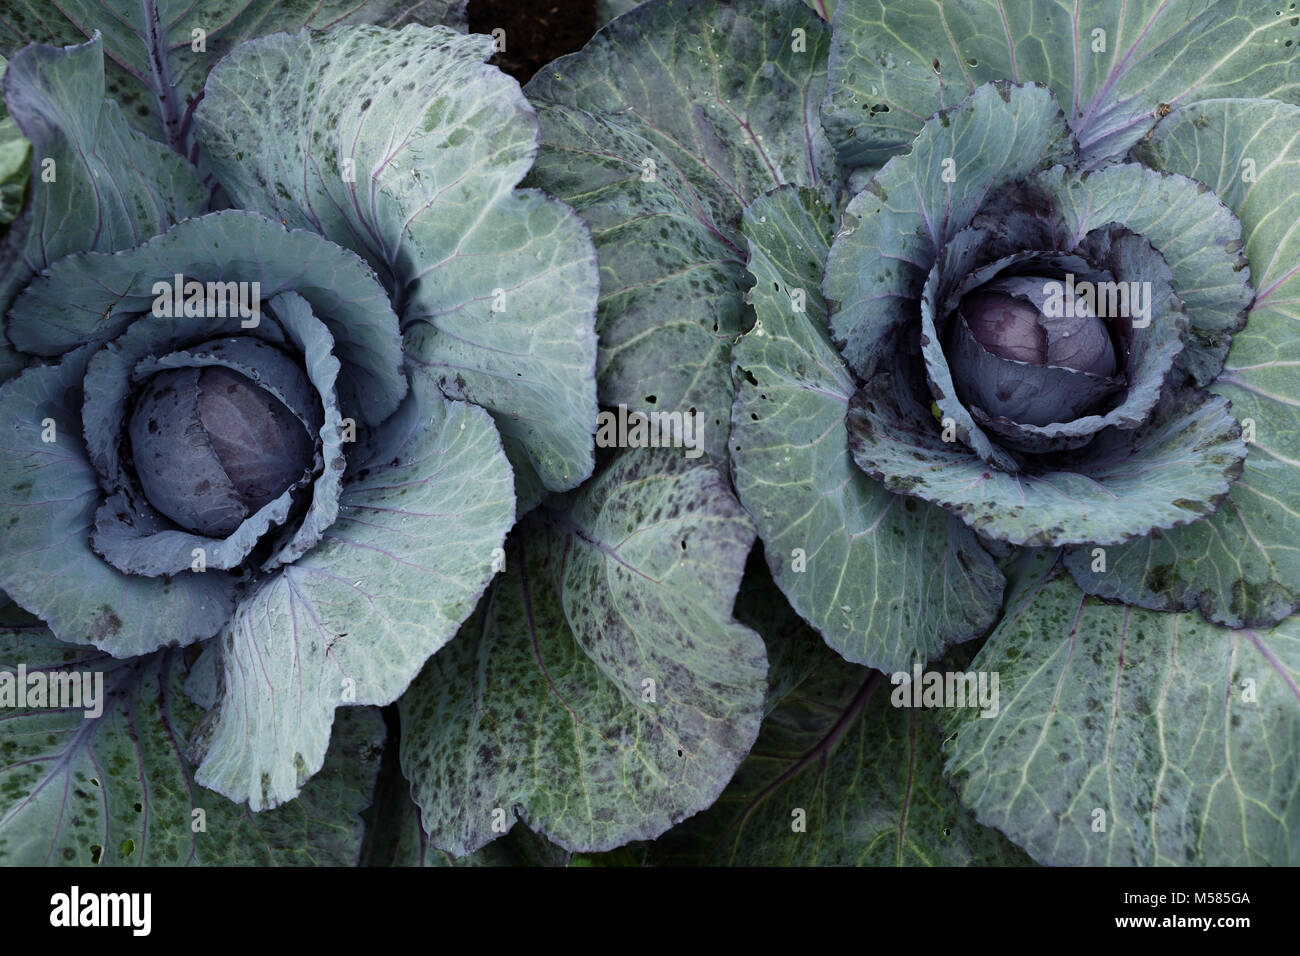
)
(301, 417)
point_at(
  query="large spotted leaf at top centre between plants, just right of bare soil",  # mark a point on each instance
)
(660, 132)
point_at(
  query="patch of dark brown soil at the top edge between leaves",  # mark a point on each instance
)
(536, 31)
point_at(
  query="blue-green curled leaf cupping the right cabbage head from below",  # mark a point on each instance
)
(1173, 470)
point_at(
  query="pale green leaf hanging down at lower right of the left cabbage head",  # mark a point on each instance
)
(354, 620)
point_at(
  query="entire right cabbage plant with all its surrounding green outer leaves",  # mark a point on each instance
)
(999, 304)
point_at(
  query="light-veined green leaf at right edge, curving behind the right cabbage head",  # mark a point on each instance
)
(1241, 565)
